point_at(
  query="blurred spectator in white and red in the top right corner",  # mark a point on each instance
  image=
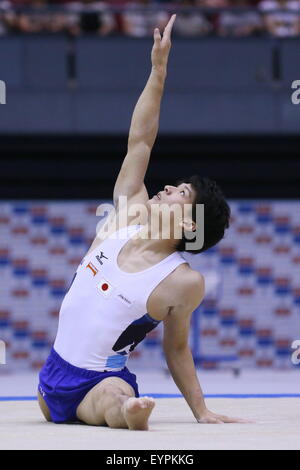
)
(281, 24)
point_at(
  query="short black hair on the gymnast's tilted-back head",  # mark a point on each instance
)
(216, 211)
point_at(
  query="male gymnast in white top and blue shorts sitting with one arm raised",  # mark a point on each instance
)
(126, 285)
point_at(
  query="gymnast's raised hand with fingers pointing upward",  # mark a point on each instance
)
(162, 45)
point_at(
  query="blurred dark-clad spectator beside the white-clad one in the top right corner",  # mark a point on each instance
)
(239, 23)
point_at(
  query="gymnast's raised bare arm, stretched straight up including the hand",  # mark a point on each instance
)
(144, 122)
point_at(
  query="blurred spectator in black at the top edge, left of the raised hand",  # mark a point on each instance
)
(89, 16)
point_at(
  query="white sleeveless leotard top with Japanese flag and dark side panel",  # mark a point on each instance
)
(103, 315)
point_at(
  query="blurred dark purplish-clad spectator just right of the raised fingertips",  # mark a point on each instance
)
(190, 23)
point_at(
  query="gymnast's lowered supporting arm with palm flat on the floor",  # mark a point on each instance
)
(178, 354)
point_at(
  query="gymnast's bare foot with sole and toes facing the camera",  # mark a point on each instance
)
(136, 412)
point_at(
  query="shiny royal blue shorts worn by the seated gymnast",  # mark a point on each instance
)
(63, 386)
